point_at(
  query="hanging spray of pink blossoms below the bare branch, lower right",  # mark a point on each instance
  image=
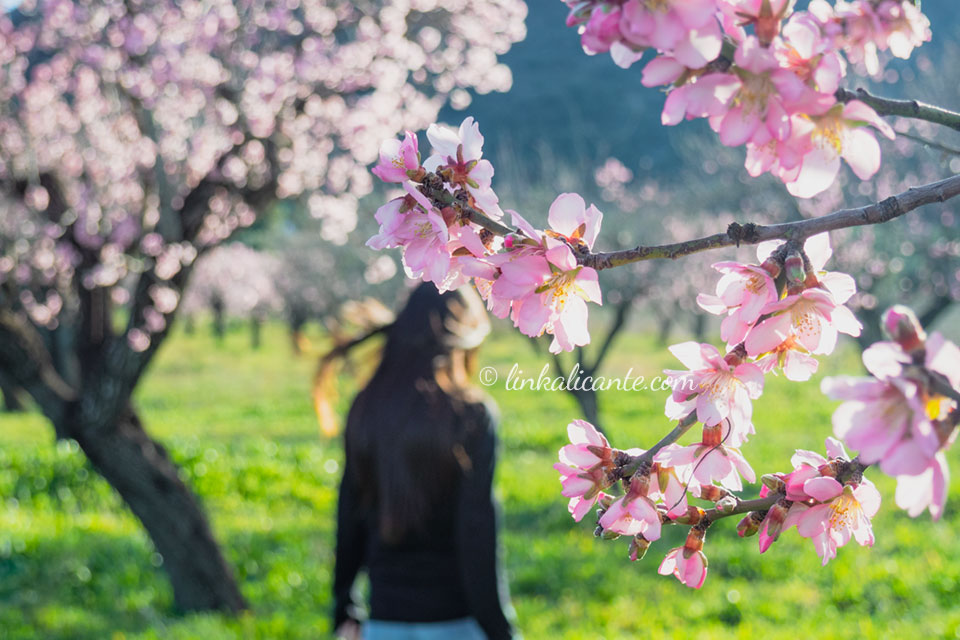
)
(778, 315)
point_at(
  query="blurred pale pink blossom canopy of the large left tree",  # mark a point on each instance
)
(134, 134)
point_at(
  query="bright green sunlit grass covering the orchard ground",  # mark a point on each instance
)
(75, 564)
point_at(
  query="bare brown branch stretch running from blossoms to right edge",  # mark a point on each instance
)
(750, 233)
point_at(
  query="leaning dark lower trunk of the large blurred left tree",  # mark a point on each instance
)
(141, 472)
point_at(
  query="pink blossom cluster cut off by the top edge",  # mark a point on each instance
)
(765, 76)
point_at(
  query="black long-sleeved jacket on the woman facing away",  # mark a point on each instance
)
(448, 570)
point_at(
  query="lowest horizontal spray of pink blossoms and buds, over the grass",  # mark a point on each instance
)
(827, 498)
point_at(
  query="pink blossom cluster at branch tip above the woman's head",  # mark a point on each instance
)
(442, 219)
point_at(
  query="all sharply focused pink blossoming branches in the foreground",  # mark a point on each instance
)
(768, 78)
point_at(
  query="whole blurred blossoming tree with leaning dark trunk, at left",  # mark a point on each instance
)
(135, 136)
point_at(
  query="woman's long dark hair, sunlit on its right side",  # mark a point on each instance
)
(405, 430)
